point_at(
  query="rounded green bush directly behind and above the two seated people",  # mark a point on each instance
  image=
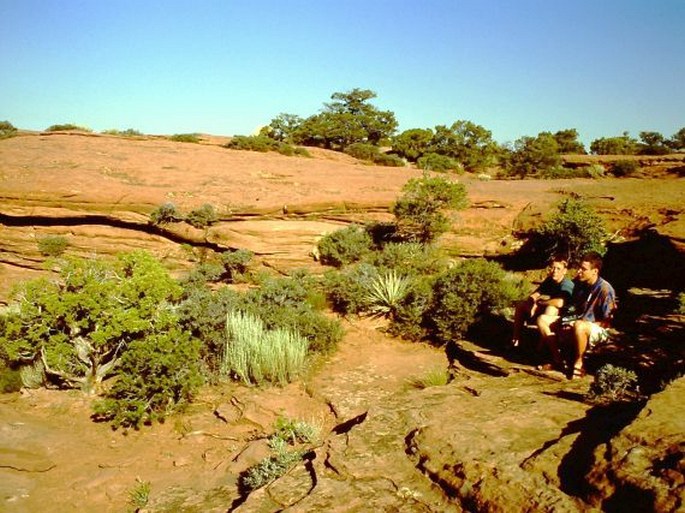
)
(573, 230)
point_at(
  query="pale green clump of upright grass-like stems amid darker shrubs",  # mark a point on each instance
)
(254, 354)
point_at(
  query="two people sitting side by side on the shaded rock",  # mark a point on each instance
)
(574, 314)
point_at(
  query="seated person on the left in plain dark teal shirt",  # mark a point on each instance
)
(546, 302)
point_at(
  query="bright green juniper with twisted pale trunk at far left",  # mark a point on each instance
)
(80, 325)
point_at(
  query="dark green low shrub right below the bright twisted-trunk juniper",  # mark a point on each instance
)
(157, 375)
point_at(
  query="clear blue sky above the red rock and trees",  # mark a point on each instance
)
(516, 67)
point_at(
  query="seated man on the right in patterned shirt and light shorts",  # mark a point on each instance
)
(593, 303)
